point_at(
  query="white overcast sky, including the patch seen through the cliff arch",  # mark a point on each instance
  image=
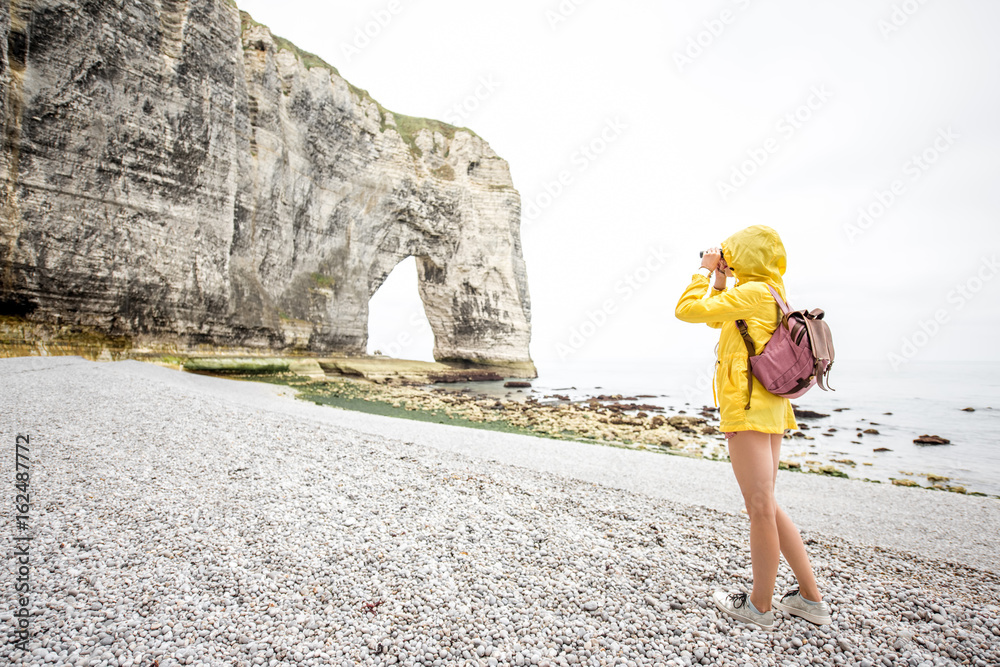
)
(673, 124)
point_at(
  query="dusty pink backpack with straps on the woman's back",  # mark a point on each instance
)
(798, 355)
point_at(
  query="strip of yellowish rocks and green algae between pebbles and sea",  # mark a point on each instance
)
(618, 420)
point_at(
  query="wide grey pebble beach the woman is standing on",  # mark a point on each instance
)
(179, 519)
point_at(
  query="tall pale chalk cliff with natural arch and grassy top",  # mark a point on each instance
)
(172, 171)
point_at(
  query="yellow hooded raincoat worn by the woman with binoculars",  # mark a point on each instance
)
(757, 258)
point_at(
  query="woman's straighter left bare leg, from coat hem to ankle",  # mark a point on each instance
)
(751, 456)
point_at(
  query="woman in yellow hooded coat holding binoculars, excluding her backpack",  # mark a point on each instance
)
(756, 257)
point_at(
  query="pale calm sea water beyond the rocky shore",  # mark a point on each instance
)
(917, 398)
